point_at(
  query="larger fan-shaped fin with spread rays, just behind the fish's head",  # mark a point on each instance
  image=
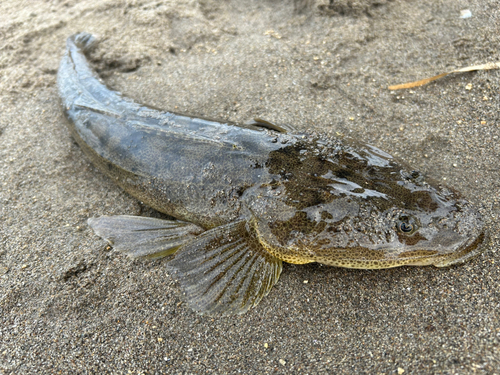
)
(225, 270)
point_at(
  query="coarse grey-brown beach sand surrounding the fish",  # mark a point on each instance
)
(68, 304)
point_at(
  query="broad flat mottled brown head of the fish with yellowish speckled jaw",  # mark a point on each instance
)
(356, 206)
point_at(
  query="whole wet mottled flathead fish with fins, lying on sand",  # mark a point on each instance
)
(247, 198)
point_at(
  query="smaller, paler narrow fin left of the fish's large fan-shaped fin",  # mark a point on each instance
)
(139, 236)
